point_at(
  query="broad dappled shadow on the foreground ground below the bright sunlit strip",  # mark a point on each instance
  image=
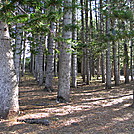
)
(110, 119)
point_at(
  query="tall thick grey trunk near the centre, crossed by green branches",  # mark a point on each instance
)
(65, 56)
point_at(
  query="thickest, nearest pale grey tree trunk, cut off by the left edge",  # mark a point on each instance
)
(9, 106)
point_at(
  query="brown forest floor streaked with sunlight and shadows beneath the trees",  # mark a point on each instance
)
(92, 110)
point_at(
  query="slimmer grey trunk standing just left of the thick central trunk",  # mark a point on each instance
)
(50, 59)
